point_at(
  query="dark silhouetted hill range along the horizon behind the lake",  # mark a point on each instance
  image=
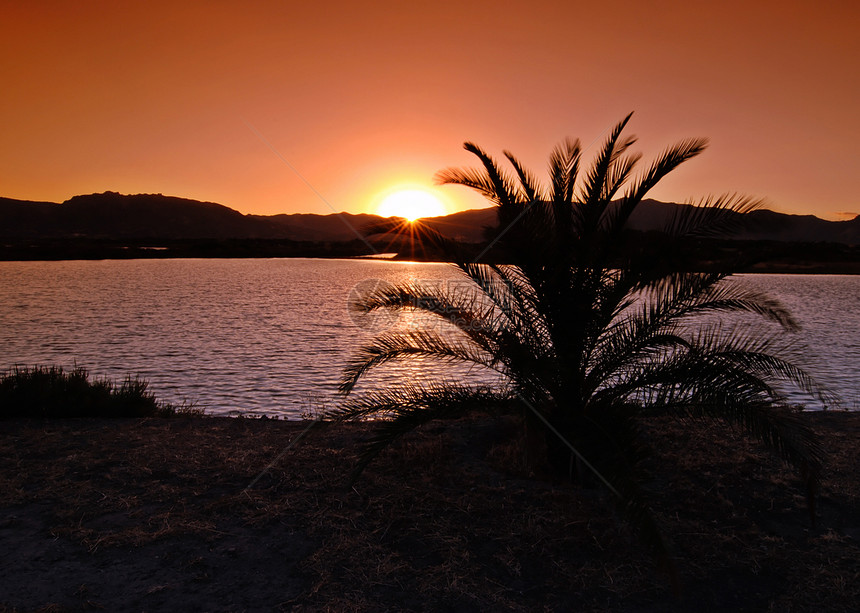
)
(114, 216)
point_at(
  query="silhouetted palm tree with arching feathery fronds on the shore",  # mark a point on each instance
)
(590, 336)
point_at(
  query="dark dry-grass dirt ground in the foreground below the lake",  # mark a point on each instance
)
(218, 514)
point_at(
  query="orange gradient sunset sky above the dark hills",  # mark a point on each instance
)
(272, 107)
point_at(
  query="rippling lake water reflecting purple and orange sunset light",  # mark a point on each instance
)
(272, 336)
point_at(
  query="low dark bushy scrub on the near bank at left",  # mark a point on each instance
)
(51, 392)
